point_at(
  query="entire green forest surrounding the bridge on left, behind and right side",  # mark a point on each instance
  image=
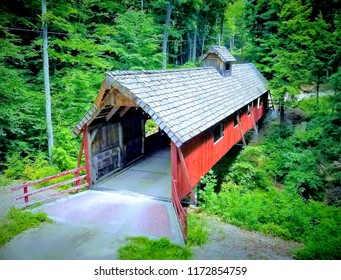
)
(294, 44)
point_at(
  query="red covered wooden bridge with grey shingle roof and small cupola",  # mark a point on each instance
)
(200, 113)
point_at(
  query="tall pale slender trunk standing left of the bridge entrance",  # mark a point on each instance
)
(47, 85)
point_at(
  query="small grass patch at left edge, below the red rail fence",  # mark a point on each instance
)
(18, 221)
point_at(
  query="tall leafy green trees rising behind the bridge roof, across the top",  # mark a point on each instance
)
(292, 42)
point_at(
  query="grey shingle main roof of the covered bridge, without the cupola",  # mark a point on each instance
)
(186, 102)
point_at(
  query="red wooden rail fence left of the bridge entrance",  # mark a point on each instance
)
(79, 181)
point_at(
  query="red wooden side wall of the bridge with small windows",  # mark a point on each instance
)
(201, 153)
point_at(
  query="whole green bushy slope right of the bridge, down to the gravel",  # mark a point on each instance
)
(289, 185)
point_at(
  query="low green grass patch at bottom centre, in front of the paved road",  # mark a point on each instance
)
(142, 248)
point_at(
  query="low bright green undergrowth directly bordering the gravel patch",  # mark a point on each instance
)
(281, 213)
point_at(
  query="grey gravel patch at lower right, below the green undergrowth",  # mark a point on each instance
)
(227, 242)
